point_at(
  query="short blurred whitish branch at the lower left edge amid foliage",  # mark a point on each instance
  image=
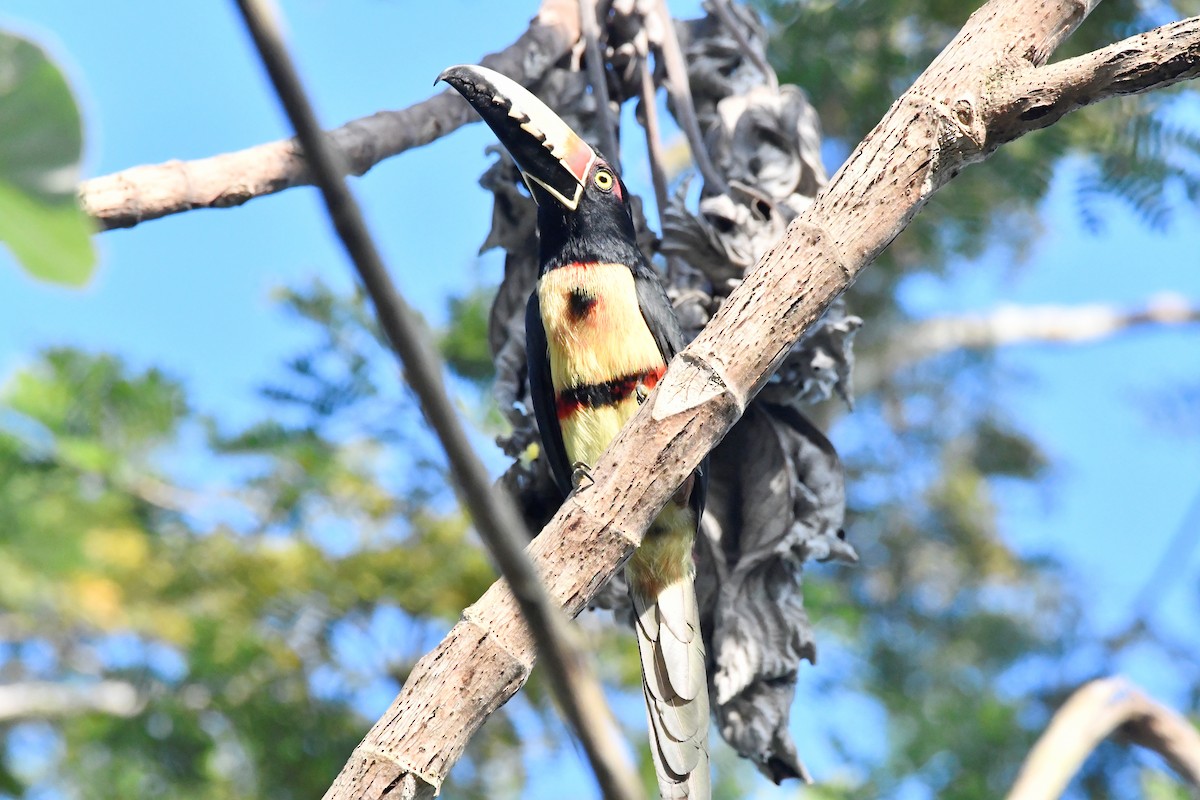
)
(46, 700)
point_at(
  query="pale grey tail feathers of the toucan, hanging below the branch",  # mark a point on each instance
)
(675, 685)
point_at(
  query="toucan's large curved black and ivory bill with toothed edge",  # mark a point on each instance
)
(550, 155)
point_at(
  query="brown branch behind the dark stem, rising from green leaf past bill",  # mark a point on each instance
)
(151, 193)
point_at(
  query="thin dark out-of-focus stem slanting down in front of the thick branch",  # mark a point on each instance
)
(494, 514)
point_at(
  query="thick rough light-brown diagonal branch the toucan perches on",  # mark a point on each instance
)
(944, 123)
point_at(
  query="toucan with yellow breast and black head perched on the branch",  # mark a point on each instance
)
(599, 334)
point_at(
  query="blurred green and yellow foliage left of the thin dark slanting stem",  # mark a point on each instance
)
(229, 609)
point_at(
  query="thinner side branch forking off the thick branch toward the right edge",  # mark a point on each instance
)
(1149, 62)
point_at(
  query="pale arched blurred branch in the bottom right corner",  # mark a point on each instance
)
(1089, 717)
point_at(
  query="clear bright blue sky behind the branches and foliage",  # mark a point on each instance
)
(164, 81)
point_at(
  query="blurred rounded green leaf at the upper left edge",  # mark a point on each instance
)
(41, 146)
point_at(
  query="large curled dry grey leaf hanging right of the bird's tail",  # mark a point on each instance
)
(777, 500)
